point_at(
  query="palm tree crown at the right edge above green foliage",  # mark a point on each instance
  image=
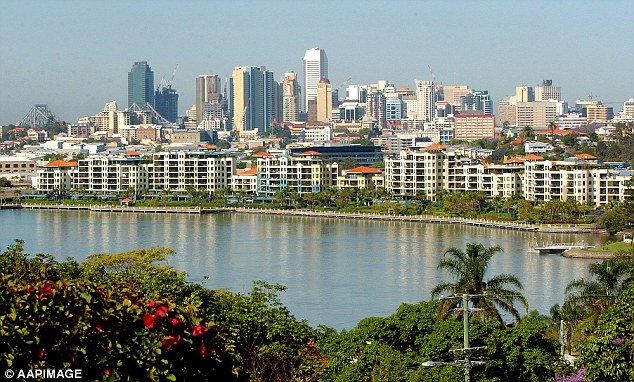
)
(610, 277)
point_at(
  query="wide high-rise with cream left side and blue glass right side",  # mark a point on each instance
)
(254, 98)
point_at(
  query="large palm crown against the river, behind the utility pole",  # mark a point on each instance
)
(469, 268)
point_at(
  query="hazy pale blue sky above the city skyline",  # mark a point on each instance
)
(75, 55)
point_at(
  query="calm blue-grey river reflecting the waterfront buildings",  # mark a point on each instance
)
(337, 271)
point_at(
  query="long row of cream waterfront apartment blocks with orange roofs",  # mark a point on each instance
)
(412, 172)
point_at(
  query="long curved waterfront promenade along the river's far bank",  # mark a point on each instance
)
(546, 228)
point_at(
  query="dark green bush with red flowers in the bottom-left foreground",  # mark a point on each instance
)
(108, 331)
